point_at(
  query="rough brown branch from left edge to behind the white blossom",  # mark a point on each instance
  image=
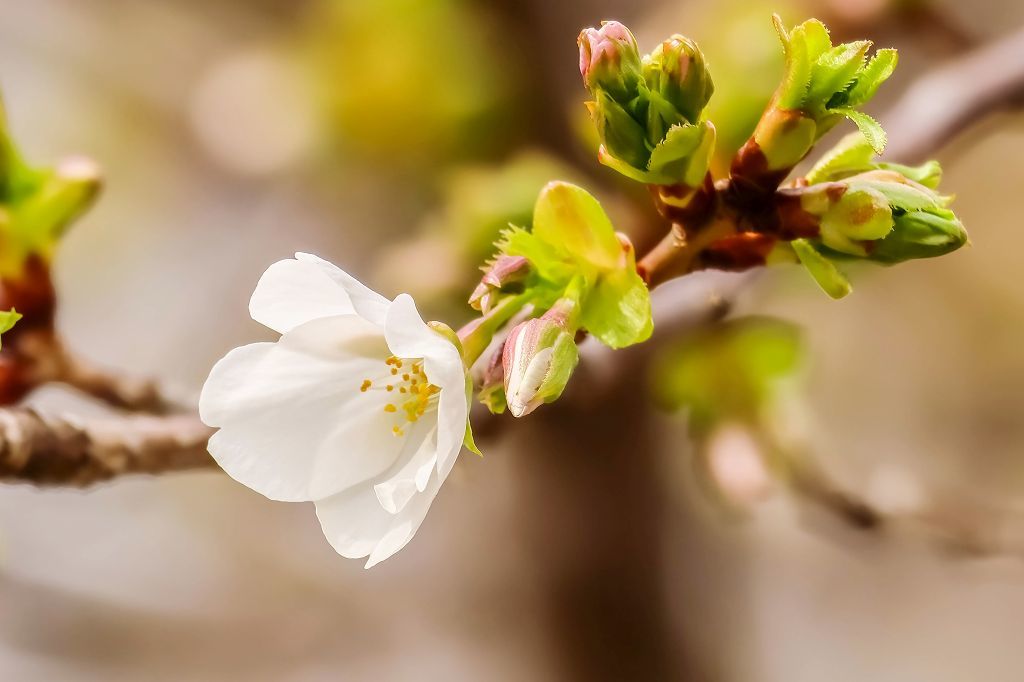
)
(50, 451)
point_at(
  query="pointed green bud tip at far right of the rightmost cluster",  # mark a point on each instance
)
(921, 235)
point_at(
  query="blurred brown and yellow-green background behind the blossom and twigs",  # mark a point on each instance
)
(395, 138)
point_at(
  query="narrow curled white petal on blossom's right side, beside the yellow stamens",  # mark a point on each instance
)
(409, 336)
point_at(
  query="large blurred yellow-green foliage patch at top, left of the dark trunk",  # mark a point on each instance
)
(408, 83)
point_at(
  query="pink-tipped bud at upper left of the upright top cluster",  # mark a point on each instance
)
(610, 60)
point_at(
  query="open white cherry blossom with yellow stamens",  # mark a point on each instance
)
(360, 407)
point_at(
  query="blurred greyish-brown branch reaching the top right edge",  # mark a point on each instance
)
(980, 83)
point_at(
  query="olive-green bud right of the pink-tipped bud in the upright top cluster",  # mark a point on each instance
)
(677, 73)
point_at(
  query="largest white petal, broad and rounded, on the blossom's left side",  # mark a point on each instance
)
(294, 425)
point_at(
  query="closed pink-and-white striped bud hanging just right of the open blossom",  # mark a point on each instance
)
(539, 358)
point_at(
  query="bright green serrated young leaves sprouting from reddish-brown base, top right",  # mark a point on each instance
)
(824, 84)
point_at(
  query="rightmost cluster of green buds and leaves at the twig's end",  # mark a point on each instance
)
(859, 208)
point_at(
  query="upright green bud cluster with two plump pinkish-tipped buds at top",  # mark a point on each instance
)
(648, 110)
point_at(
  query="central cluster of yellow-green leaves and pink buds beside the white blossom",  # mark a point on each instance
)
(570, 274)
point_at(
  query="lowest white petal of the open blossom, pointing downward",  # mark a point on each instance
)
(357, 526)
